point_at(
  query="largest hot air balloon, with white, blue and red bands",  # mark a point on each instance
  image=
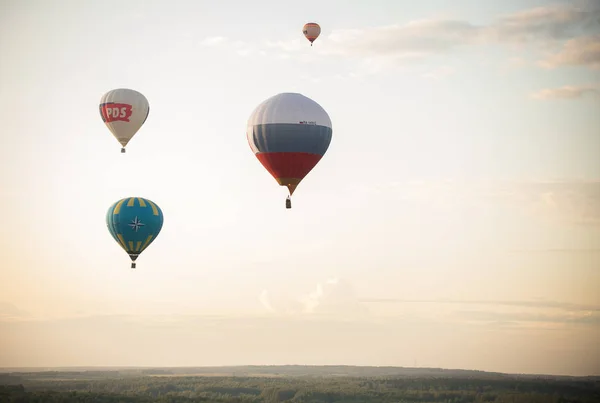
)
(289, 134)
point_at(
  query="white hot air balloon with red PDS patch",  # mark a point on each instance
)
(124, 111)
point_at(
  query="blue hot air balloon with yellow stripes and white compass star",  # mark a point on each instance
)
(134, 222)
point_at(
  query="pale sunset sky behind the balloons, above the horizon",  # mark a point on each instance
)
(454, 221)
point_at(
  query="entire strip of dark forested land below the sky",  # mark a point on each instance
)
(291, 384)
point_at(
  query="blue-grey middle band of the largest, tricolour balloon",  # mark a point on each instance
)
(288, 137)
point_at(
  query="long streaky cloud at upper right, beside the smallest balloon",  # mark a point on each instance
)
(419, 39)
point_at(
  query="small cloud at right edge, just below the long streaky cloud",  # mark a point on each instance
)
(582, 51)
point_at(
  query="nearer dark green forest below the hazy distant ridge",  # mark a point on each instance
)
(301, 390)
